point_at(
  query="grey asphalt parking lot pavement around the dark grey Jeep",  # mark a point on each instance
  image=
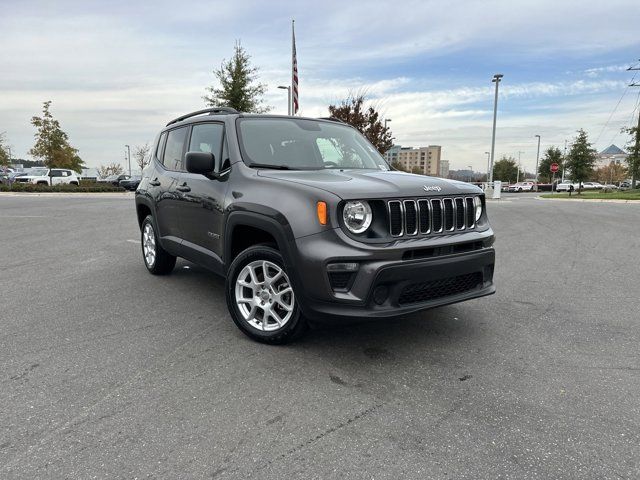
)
(107, 371)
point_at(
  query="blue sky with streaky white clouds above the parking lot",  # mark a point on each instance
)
(117, 71)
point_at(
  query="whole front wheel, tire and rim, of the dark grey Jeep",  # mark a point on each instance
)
(260, 297)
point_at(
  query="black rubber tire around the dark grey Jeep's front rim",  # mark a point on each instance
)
(294, 327)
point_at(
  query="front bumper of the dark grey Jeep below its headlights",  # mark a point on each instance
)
(392, 279)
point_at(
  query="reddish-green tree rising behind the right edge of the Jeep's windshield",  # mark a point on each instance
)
(365, 118)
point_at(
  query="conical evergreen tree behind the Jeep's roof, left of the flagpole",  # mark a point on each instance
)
(238, 85)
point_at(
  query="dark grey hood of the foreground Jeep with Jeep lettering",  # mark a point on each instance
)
(364, 184)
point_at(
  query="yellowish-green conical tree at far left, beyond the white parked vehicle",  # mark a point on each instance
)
(52, 143)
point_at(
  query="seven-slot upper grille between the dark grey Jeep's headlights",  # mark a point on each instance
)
(433, 215)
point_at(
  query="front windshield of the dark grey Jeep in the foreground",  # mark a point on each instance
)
(301, 144)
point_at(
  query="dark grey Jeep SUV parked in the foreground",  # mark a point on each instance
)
(302, 231)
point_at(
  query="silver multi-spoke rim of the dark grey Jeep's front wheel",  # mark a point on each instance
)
(264, 296)
